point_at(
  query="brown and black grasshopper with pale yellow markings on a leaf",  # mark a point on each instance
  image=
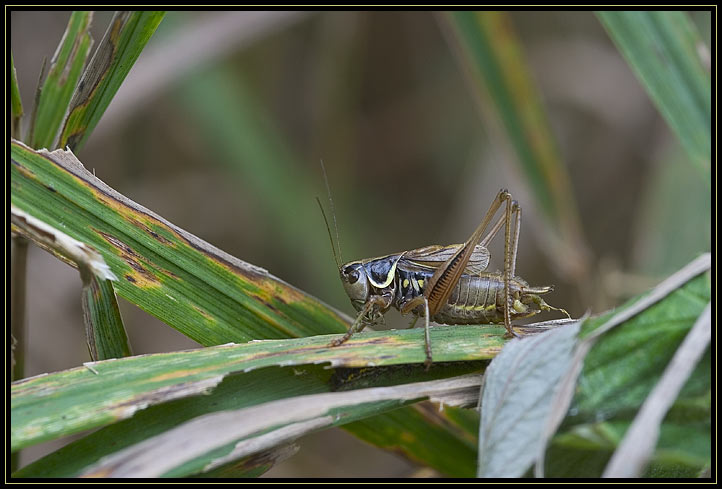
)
(445, 284)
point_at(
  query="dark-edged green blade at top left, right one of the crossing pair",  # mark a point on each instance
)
(125, 38)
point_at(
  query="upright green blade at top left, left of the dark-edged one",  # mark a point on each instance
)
(58, 87)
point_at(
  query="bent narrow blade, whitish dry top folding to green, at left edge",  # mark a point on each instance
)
(105, 332)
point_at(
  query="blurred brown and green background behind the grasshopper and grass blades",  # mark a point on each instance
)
(222, 123)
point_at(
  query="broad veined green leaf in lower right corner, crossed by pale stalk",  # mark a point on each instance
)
(619, 373)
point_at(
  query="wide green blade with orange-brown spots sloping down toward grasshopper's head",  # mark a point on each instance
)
(204, 293)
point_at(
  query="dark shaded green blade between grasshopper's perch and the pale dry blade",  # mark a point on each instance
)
(258, 386)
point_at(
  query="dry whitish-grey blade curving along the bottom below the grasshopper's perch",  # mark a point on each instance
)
(287, 418)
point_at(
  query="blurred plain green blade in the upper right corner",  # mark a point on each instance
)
(665, 50)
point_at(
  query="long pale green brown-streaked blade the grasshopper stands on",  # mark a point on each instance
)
(59, 404)
